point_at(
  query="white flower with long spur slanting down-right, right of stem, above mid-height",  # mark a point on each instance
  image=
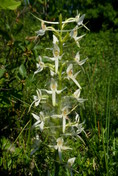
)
(70, 75)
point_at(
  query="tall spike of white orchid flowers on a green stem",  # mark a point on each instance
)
(60, 121)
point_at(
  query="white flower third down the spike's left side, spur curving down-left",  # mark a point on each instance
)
(37, 98)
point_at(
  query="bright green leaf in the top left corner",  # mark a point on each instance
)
(9, 4)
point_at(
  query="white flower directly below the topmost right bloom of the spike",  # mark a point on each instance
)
(73, 35)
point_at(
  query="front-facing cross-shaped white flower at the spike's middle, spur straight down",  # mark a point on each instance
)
(53, 91)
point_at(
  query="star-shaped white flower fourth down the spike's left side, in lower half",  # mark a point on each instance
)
(40, 121)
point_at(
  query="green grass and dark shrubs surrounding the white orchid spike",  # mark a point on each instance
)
(18, 53)
